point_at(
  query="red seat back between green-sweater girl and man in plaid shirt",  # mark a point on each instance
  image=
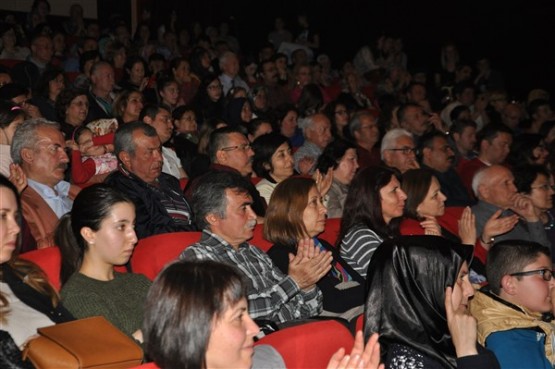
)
(152, 253)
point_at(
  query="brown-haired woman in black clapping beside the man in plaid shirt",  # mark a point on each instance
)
(295, 217)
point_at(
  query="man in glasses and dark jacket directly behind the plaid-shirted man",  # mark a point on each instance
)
(230, 151)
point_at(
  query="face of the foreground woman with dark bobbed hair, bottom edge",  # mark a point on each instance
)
(231, 343)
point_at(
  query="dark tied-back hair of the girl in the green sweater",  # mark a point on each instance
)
(91, 206)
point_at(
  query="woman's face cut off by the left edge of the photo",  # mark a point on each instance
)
(9, 227)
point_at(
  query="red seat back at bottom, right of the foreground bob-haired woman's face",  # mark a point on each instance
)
(309, 345)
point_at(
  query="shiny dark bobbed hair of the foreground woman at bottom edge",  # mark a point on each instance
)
(181, 307)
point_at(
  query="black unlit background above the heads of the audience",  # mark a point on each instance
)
(516, 35)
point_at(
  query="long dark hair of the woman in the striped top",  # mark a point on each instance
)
(363, 203)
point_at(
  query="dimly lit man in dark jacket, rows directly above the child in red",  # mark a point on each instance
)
(101, 95)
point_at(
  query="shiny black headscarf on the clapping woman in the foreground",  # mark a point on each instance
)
(406, 283)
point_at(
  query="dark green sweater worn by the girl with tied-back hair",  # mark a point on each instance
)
(120, 301)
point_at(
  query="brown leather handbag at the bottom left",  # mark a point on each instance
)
(82, 344)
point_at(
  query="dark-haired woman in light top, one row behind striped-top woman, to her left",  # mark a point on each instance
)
(340, 157)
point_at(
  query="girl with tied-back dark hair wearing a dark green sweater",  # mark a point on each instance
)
(92, 240)
